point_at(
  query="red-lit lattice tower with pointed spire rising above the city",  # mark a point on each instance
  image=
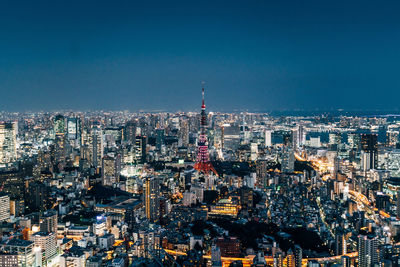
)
(203, 163)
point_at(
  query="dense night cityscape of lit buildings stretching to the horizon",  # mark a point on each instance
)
(199, 189)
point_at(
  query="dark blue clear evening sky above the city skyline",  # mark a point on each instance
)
(255, 55)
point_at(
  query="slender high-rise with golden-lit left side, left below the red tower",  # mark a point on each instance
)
(152, 198)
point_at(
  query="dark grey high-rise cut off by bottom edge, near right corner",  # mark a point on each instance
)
(368, 250)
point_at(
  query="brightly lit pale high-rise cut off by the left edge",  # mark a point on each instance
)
(7, 143)
